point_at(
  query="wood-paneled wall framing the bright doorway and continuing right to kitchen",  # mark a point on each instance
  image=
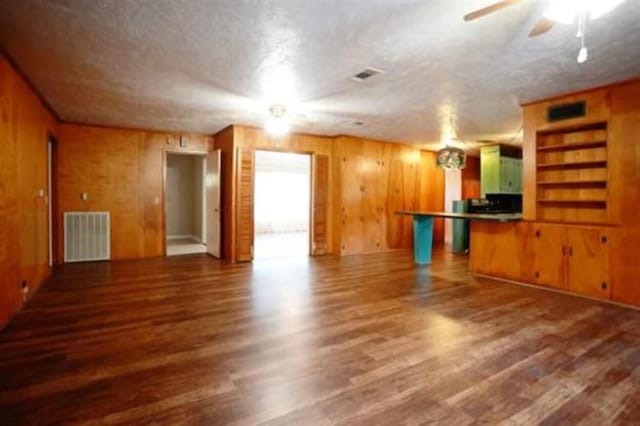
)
(367, 182)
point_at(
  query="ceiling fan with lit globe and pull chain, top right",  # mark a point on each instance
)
(563, 11)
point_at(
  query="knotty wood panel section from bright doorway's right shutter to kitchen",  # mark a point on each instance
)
(375, 179)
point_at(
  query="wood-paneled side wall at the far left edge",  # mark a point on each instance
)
(25, 125)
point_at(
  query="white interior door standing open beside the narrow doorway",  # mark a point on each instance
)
(213, 203)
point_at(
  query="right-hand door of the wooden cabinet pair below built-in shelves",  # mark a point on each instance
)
(588, 266)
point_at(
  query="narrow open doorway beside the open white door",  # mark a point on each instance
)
(186, 204)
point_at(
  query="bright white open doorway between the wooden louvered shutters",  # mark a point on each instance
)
(282, 204)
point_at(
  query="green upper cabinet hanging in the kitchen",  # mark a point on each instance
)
(500, 170)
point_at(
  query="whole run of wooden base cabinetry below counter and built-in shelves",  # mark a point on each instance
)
(566, 257)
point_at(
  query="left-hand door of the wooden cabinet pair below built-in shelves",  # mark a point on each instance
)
(550, 246)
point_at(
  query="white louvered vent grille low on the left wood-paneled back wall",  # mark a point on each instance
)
(86, 236)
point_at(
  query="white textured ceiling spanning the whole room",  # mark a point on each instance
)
(199, 65)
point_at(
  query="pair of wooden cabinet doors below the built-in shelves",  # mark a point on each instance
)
(572, 258)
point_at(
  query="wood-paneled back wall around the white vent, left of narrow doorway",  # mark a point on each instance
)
(123, 172)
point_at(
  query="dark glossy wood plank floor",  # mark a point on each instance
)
(371, 340)
